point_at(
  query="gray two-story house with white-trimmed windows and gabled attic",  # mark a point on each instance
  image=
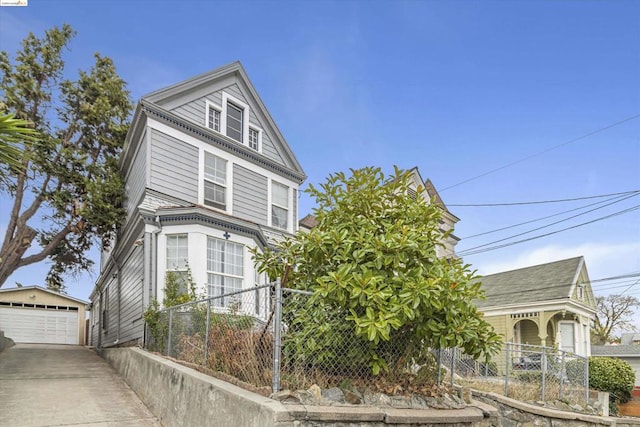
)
(208, 176)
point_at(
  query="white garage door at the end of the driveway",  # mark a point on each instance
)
(35, 325)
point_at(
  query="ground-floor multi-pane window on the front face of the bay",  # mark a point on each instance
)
(225, 271)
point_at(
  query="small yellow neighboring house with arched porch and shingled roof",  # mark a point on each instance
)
(548, 305)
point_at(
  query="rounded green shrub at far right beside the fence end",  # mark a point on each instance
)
(613, 375)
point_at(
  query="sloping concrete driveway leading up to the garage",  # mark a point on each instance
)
(60, 385)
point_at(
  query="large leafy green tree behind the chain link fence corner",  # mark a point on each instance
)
(371, 263)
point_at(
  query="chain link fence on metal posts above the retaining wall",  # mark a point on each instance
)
(285, 339)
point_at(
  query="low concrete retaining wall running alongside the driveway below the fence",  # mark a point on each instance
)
(180, 396)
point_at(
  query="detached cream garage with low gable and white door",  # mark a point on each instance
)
(37, 315)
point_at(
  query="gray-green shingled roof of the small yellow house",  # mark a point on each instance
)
(544, 282)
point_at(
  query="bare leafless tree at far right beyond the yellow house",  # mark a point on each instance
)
(614, 312)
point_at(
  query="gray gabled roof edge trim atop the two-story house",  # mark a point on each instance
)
(166, 95)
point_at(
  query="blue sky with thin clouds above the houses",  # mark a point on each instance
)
(456, 88)
